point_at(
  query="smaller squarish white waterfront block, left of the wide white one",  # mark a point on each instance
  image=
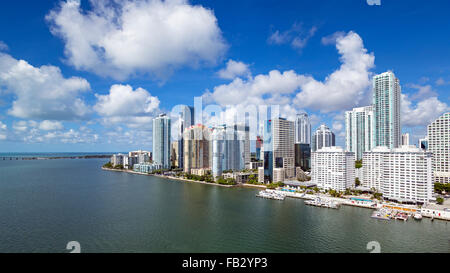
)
(333, 168)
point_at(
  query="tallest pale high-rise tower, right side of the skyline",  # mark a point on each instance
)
(386, 103)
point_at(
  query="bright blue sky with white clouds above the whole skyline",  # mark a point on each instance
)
(81, 77)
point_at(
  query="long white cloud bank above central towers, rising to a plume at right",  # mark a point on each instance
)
(343, 89)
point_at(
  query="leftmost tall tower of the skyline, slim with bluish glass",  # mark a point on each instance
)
(161, 141)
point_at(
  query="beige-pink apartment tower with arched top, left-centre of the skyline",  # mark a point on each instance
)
(197, 148)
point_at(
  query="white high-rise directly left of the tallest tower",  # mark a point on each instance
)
(359, 130)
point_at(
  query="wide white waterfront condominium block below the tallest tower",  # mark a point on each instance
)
(401, 174)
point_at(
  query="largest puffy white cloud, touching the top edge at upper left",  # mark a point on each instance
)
(121, 38)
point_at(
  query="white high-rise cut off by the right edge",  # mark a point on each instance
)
(439, 145)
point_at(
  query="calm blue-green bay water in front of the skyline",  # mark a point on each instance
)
(46, 204)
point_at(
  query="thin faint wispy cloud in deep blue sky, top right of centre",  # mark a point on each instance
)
(297, 36)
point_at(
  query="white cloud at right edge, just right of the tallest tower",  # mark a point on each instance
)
(421, 113)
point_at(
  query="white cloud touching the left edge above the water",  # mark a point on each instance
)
(42, 92)
